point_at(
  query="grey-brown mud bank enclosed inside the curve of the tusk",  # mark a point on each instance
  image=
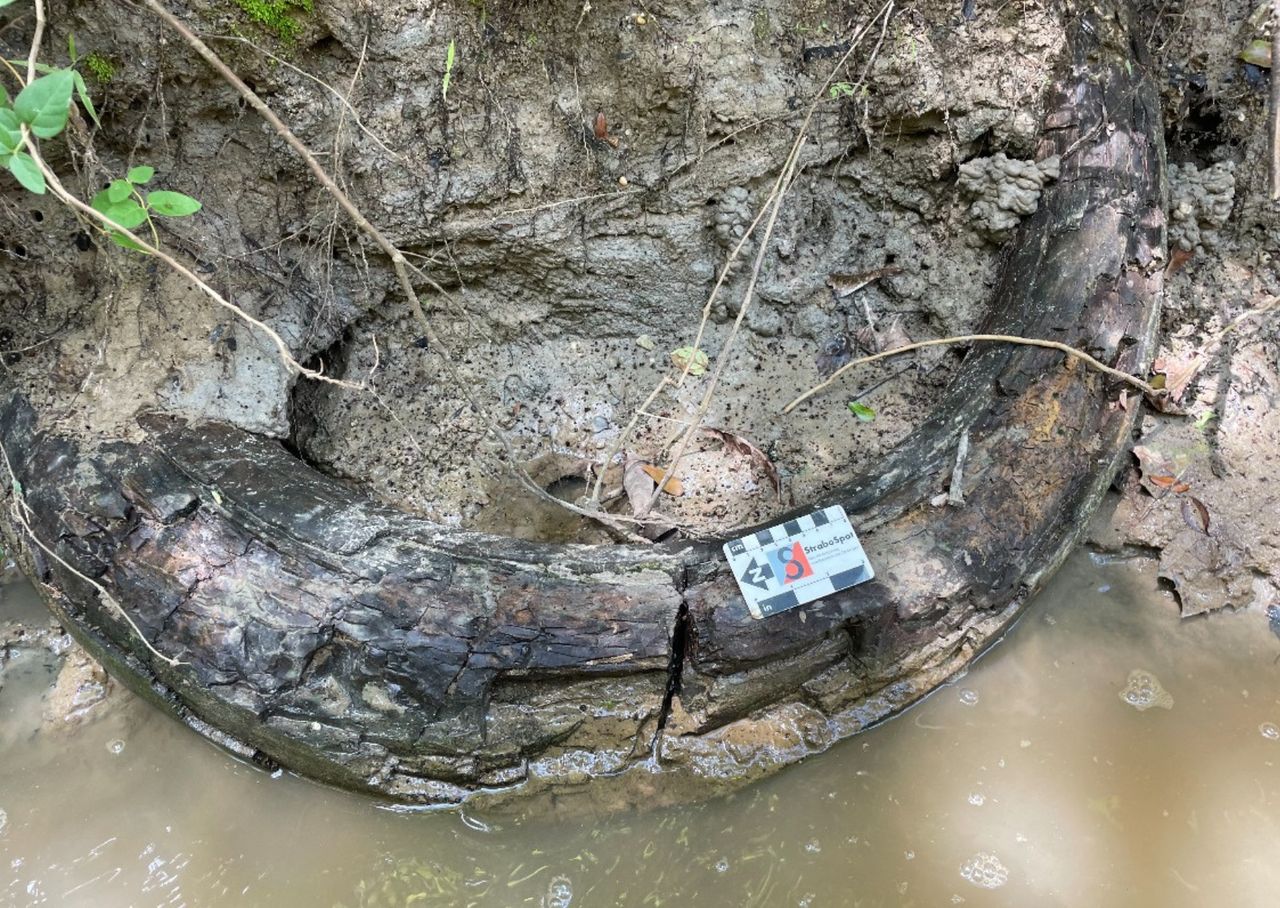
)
(556, 253)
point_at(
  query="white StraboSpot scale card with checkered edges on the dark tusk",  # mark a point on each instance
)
(799, 562)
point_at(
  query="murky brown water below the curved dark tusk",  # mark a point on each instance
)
(1107, 754)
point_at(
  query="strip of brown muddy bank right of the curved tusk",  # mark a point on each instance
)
(1222, 330)
